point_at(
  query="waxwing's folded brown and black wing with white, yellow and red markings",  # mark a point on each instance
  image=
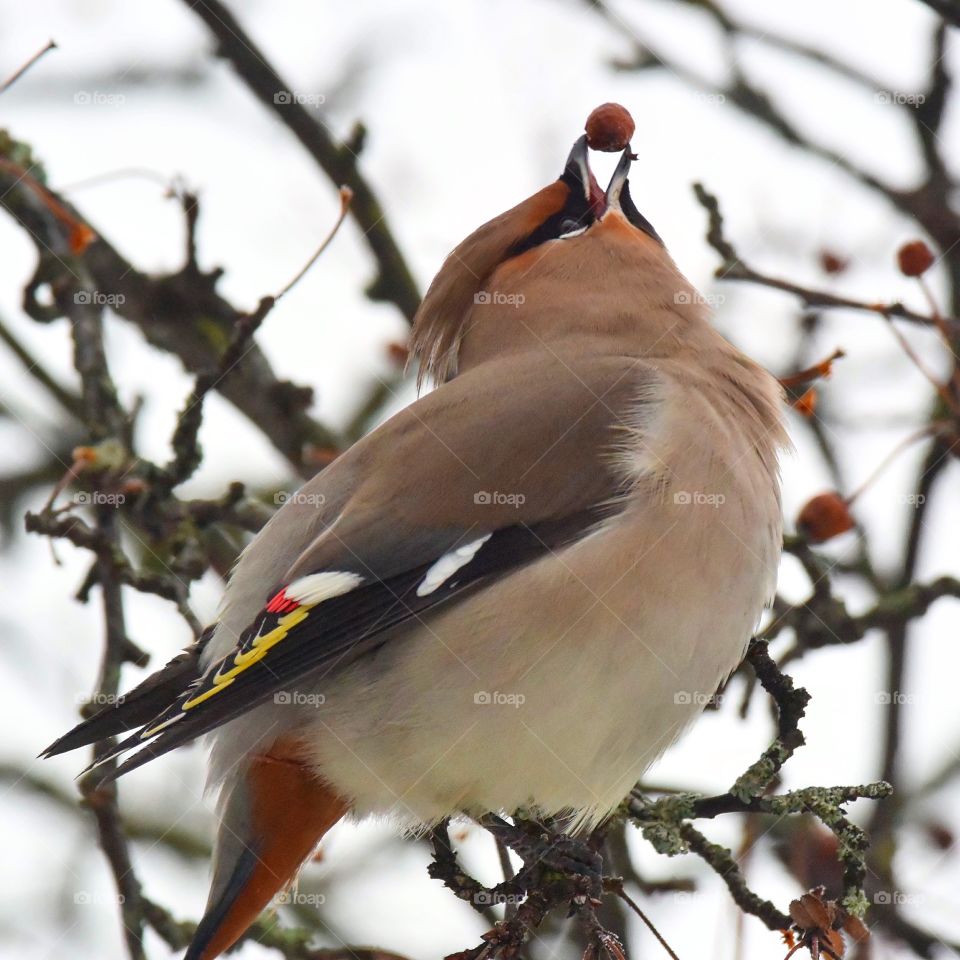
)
(459, 489)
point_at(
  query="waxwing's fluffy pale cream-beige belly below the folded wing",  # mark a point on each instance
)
(566, 712)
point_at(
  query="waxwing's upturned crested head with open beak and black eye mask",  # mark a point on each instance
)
(571, 258)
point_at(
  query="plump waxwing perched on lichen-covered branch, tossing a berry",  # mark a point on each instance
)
(515, 593)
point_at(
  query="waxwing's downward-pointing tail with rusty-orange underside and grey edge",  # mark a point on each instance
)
(271, 819)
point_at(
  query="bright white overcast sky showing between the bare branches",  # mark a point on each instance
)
(470, 106)
